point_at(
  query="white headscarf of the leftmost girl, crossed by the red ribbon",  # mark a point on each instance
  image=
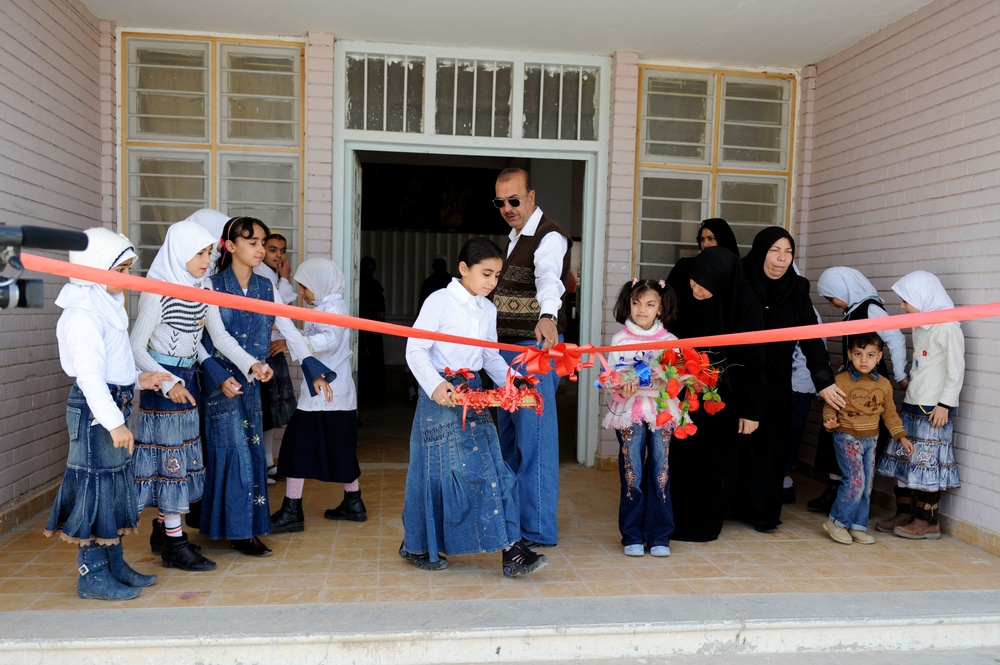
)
(105, 250)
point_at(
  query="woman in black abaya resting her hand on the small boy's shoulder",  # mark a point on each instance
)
(784, 299)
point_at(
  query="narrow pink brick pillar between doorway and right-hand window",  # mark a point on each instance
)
(621, 202)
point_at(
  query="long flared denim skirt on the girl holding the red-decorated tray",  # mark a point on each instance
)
(459, 491)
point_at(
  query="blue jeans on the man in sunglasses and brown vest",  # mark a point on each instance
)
(530, 446)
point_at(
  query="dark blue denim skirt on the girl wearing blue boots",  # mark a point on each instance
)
(96, 500)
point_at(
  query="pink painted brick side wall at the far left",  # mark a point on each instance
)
(54, 117)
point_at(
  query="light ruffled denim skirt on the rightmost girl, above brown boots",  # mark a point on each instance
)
(931, 467)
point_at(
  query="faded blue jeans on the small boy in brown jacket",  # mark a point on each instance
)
(856, 456)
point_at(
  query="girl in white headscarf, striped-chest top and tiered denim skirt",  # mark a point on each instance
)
(169, 462)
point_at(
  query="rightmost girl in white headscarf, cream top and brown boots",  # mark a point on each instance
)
(935, 383)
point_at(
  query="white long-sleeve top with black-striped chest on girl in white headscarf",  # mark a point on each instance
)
(174, 328)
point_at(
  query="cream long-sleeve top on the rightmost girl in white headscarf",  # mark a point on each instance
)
(938, 369)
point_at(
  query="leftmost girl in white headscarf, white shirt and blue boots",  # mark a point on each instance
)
(96, 504)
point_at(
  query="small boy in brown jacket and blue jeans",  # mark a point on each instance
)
(855, 431)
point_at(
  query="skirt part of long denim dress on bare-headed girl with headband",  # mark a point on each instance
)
(234, 502)
